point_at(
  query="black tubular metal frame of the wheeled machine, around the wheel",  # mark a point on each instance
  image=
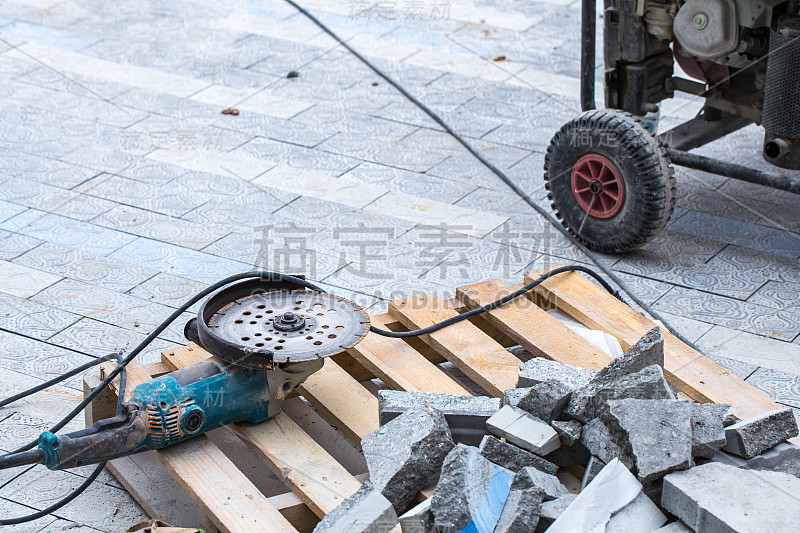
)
(685, 138)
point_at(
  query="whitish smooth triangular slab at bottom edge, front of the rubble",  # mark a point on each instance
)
(613, 502)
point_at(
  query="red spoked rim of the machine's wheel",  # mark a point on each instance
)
(597, 186)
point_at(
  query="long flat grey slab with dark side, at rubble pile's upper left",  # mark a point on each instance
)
(466, 415)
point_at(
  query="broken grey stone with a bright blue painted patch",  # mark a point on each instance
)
(468, 481)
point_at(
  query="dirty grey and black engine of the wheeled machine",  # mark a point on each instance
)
(744, 55)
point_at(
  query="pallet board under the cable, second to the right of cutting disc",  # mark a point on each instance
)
(471, 350)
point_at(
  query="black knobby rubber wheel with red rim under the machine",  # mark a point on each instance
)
(609, 181)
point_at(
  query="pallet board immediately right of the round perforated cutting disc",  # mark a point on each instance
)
(400, 366)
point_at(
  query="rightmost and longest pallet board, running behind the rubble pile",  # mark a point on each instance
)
(698, 376)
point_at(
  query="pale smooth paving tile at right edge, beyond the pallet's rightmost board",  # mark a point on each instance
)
(754, 349)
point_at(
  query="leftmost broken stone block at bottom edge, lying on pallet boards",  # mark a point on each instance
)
(366, 511)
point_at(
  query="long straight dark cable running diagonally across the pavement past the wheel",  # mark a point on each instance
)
(496, 171)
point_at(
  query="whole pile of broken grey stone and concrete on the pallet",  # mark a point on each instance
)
(648, 461)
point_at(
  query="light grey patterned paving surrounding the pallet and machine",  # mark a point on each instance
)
(124, 189)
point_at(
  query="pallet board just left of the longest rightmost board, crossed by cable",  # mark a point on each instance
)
(531, 326)
